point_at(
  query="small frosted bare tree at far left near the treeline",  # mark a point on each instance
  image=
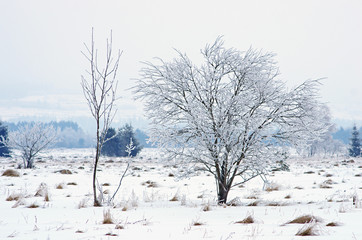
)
(30, 140)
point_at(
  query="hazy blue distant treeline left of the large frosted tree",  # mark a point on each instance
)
(71, 135)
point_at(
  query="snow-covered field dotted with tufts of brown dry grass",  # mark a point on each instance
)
(43, 203)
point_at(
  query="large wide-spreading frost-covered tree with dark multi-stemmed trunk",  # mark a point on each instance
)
(230, 115)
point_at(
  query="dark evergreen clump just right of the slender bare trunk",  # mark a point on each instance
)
(116, 142)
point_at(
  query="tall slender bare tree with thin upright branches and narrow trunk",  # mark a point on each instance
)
(99, 88)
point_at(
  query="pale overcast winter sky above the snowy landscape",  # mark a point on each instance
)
(40, 44)
